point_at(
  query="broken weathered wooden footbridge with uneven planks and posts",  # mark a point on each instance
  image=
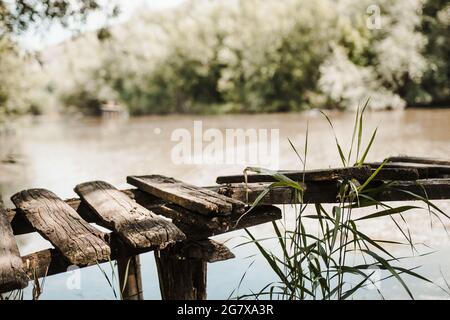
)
(176, 220)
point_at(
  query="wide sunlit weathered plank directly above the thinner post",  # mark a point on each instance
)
(136, 225)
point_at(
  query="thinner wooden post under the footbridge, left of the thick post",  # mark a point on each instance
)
(130, 279)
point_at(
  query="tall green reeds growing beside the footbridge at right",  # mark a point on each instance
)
(317, 261)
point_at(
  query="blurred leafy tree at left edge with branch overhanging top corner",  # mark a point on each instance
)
(21, 89)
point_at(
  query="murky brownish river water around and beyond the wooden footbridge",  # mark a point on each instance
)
(58, 153)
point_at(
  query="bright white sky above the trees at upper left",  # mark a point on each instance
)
(37, 39)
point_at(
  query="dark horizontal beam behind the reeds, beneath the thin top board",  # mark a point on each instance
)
(433, 189)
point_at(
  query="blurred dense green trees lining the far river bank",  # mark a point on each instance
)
(241, 56)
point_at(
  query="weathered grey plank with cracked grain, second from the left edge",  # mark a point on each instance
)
(55, 220)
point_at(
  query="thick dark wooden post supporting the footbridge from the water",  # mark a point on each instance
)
(180, 278)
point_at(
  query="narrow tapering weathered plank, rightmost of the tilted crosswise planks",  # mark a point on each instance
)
(187, 196)
